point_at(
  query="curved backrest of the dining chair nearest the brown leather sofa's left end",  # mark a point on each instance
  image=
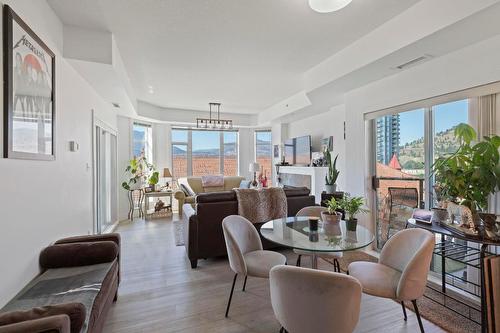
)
(241, 237)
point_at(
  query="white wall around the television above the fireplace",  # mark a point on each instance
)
(320, 126)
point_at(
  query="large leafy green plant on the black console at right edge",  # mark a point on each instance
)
(468, 176)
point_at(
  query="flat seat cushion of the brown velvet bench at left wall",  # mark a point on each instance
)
(63, 285)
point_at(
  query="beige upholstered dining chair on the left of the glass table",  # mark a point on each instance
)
(245, 252)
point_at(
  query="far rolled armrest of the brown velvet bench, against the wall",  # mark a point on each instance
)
(78, 254)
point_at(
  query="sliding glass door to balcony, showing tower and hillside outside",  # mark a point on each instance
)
(406, 146)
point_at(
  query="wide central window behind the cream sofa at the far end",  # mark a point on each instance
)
(204, 152)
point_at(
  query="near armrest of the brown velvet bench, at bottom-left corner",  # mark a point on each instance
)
(47, 318)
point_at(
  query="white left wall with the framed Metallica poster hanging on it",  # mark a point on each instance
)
(42, 201)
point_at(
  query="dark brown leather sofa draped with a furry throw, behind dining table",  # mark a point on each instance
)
(203, 237)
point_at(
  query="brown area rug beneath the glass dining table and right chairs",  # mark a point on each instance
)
(429, 309)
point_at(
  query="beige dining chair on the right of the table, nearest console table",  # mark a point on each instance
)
(401, 272)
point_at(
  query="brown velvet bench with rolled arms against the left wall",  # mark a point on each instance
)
(70, 268)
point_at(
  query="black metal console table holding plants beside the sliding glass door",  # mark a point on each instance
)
(467, 255)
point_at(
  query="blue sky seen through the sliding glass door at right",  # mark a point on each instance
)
(446, 116)
